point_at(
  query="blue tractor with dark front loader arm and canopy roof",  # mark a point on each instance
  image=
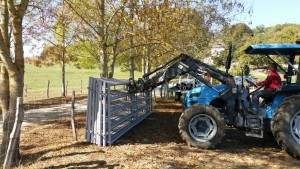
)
(208, 108)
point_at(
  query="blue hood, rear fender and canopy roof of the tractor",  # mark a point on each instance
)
(205, 95)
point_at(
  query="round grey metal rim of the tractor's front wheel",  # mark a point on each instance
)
(202, 128)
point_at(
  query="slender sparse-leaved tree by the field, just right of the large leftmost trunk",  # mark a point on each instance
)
(54, 20)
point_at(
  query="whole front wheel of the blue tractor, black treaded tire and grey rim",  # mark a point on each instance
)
(202, 126)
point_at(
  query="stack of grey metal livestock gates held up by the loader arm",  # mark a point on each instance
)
(112, 111)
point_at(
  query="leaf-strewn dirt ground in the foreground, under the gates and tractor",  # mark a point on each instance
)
(154, 143)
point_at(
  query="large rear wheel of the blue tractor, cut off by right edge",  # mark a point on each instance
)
(285, 126)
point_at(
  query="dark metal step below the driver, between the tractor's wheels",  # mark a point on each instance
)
(254, 125)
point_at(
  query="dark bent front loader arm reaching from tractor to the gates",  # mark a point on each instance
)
(180, 65)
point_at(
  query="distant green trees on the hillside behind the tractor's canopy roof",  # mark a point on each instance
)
(242, 36)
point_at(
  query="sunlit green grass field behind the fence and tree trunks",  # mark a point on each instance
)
(36, 80)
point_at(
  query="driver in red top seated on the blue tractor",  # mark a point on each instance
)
(271, 83)
